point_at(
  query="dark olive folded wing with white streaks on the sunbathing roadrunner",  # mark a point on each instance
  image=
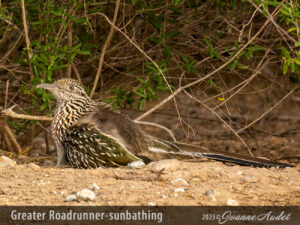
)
(88, 147)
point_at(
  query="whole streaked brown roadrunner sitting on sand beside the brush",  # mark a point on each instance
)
(90, 134)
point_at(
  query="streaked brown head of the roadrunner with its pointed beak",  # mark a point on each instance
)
(65, 89)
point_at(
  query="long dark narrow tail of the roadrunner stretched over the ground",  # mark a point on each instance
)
(193, 151)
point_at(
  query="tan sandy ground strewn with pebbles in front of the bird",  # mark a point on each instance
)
(180, 183)
